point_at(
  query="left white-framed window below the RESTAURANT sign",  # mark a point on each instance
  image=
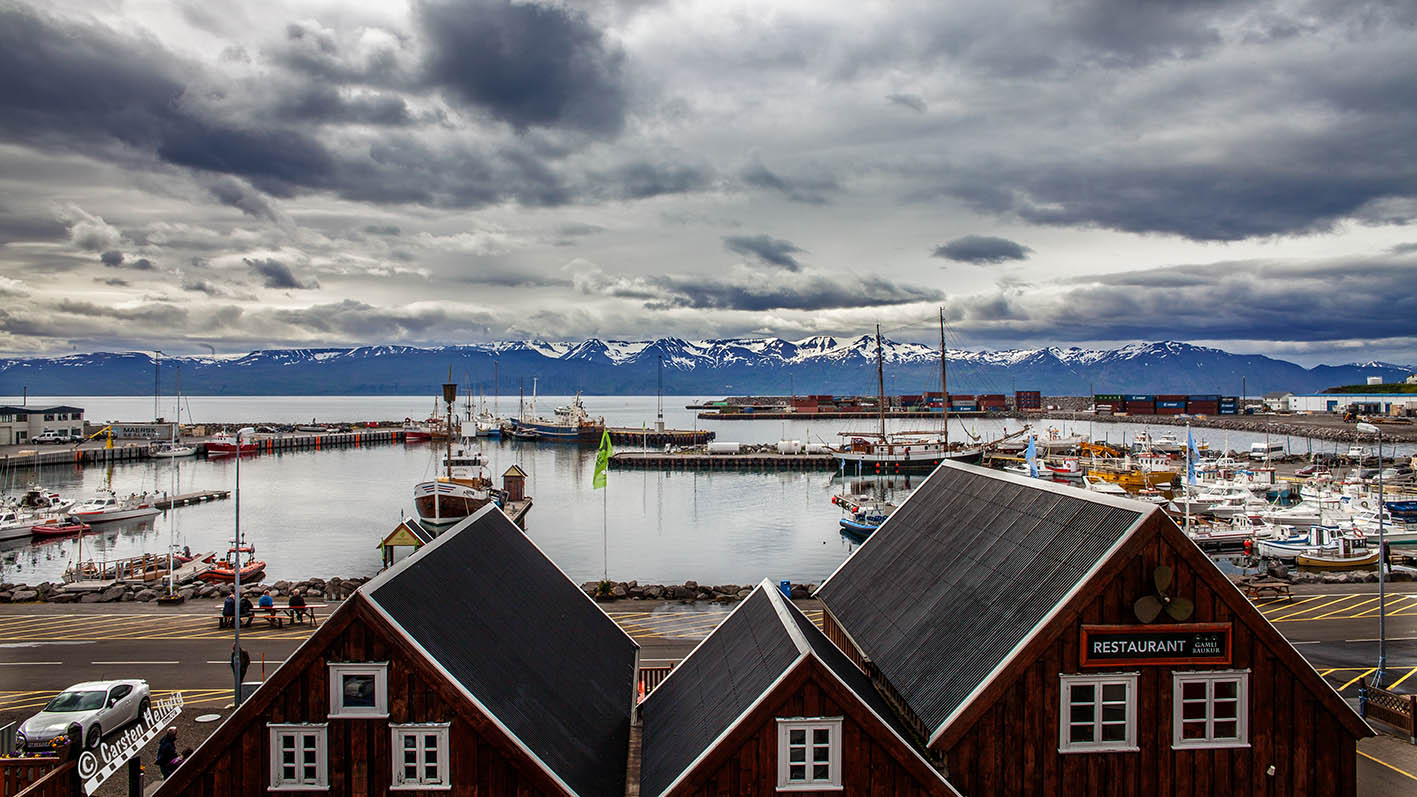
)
(1097, 713)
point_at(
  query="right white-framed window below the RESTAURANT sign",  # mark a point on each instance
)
(1211, 708)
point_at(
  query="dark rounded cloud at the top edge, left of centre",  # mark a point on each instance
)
(528, 65)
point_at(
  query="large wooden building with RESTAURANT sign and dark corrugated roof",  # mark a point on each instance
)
(1044, 640)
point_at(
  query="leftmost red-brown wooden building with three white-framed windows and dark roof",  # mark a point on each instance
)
(473, 667)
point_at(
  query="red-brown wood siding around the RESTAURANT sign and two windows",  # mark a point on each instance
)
(1012, 745)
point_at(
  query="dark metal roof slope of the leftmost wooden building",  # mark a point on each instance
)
(525, 642)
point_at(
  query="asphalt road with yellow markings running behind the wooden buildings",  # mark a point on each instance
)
(47, 647)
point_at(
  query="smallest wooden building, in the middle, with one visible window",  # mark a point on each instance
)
(767, 704)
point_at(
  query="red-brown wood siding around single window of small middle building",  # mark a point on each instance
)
(874, 762)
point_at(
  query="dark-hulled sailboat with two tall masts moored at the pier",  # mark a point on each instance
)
(902, 452)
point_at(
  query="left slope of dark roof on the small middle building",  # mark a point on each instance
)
(712, 689)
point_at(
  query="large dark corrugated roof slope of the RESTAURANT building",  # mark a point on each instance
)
(963, 572)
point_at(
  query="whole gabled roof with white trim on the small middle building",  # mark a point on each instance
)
(729, 674)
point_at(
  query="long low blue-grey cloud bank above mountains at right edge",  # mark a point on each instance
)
(1236, 301)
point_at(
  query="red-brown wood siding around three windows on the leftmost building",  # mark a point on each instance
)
(482, 761)
